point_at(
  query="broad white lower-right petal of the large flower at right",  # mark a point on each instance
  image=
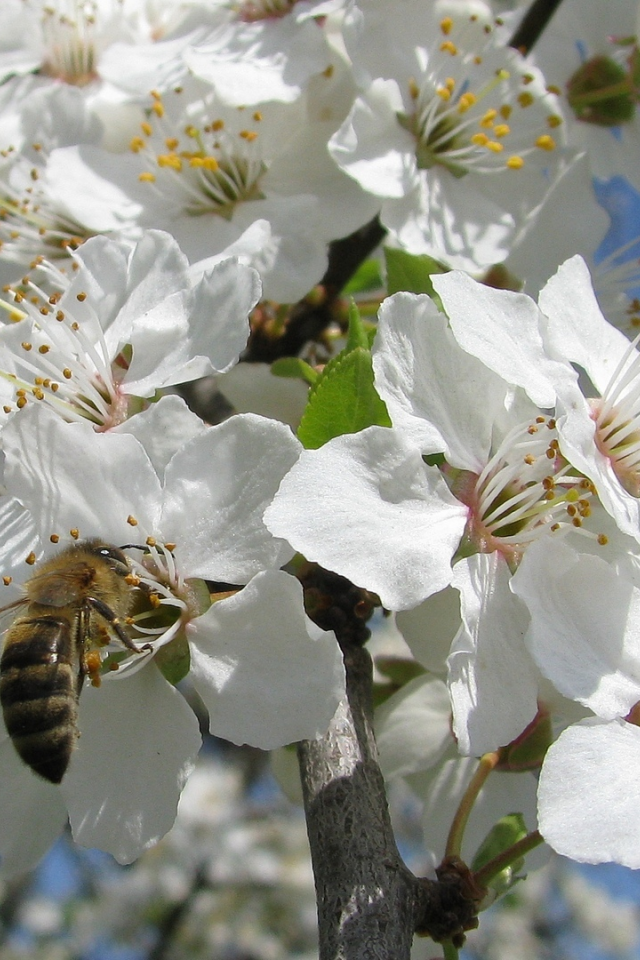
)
(585, 626)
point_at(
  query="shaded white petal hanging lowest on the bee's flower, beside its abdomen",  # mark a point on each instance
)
(137, 747)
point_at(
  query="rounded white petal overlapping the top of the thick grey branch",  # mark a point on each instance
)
(266, 673)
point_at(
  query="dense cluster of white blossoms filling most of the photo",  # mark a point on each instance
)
(172, 176)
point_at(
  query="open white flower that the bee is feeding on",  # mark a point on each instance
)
(266, 674)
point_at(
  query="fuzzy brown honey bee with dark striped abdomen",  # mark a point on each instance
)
(75, 600)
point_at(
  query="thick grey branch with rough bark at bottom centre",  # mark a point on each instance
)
(368, 901)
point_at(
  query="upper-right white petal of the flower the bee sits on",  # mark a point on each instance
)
(233, 472)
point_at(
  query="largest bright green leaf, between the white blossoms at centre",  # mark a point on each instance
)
(344, 400)
